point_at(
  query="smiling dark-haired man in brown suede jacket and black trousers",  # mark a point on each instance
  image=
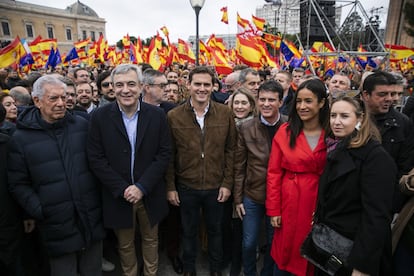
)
(200, 175)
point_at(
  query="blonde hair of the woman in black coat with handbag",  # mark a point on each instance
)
(368, 130)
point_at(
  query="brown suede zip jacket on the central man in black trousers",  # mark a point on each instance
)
(201, 160)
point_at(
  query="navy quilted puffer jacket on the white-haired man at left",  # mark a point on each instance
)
(50, 179)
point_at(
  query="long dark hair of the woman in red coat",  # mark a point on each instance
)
(317, 87)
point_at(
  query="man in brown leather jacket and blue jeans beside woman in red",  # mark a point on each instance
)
(251, 158)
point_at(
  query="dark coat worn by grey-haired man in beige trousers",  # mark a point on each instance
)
(109, 154)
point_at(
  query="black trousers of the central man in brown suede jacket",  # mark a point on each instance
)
(191, 201)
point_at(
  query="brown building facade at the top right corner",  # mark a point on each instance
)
(394, 32)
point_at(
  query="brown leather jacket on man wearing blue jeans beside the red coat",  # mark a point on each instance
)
(250, 159)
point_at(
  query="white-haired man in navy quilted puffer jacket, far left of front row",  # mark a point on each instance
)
(50, 179)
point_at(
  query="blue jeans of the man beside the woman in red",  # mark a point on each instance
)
(252, 222)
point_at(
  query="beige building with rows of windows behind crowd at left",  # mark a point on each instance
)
(77, 22)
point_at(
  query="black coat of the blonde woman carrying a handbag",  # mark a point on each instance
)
(355, 198)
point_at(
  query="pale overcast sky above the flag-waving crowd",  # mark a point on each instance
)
(145, 17)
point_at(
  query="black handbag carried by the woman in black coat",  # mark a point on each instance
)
(327, 249)
